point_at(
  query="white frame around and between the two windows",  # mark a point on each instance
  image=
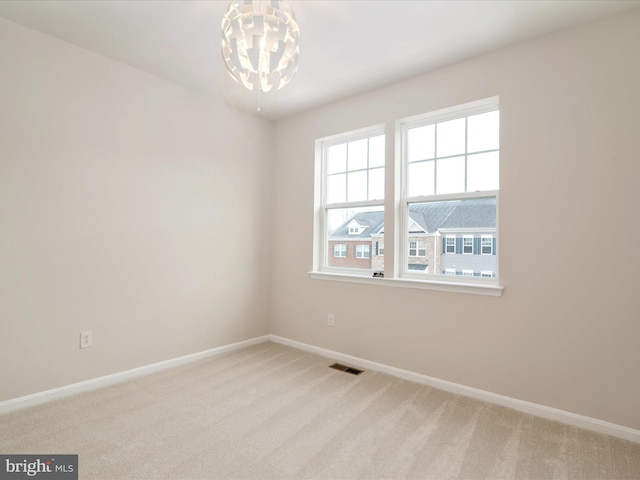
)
(396, 205)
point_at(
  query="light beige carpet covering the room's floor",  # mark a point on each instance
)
(274, 412)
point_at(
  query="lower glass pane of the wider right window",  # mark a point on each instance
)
(450, 232)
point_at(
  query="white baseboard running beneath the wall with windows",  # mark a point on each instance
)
(550, 413)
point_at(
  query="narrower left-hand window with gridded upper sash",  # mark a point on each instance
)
(351, 170)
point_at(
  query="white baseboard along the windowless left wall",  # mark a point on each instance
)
(100, 382)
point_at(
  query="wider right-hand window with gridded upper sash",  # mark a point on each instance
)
(450, 186)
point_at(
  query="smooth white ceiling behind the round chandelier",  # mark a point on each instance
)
(346, 46)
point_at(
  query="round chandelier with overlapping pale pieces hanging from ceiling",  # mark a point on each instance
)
(260, 43)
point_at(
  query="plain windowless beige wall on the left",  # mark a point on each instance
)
(128, 206)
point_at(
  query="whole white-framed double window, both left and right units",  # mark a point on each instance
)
(442, 197)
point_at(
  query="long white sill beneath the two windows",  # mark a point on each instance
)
(491, 289)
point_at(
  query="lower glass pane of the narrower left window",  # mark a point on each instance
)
(356, 251)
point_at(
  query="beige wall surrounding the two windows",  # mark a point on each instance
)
(565, 332)
